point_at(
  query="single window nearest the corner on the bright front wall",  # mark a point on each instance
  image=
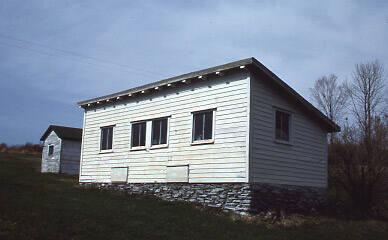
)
(203, 125)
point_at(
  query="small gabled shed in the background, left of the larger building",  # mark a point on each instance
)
(61, 149)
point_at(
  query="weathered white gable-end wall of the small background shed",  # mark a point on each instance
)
(51, 163)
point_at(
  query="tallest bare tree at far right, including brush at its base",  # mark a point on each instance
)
(362, 157)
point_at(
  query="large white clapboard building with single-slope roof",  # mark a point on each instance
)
(233, 126)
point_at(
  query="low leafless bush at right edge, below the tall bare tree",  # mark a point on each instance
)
(361, 174)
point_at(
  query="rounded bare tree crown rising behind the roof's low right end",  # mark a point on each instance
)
(330, 97)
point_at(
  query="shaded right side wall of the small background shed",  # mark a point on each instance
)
(70, 156)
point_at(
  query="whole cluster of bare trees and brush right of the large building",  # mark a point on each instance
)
(358, 155)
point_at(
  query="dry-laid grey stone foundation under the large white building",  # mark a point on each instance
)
(242, 198)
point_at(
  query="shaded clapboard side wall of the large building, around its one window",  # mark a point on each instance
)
(304, 162)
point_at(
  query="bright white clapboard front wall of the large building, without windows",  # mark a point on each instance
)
(223, 161)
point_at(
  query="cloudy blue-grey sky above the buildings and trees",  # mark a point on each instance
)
(55, 53)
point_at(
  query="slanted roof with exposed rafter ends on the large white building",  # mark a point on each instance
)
(251, 64)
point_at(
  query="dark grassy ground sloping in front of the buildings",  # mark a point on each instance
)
(48, 206)
